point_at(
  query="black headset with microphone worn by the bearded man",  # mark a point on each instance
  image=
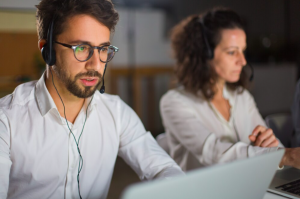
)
(49, 54)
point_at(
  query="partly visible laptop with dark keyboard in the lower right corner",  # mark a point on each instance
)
(286, 182)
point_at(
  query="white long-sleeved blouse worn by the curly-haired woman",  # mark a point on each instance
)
(197, 135)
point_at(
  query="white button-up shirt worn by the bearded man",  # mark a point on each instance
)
(39, 157)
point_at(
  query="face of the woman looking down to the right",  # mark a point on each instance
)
(229, 56)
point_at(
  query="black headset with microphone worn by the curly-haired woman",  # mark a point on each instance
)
(209, 53)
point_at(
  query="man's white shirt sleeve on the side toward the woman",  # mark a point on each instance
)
(139, 149)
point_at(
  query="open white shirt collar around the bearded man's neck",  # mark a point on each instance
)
(46, 103)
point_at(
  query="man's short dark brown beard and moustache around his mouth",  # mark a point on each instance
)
(71, 85)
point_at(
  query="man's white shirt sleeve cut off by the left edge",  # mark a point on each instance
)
(5, 162)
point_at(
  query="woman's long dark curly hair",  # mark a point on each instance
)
(190, 51)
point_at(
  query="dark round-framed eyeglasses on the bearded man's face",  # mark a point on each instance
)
(84, 52)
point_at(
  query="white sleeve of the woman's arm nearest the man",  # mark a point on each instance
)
(181, 121)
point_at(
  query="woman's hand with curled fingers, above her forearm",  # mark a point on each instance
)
(263, 137)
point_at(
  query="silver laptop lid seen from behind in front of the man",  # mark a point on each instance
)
(247, 179)
